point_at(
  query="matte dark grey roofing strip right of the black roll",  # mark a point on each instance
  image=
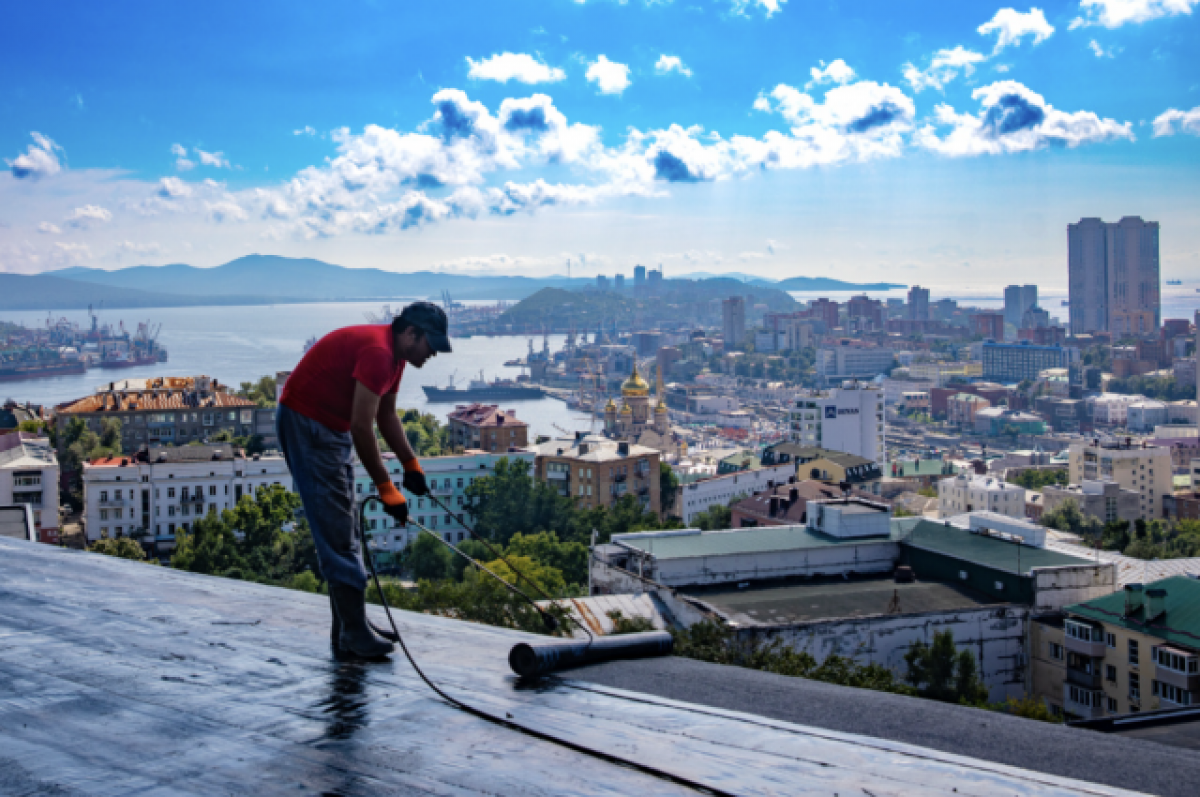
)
(1058, 751)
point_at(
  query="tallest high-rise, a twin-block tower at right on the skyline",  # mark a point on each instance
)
(1114, 278)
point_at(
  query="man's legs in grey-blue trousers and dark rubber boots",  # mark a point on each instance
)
(321, 465)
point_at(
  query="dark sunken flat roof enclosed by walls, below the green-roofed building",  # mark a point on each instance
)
(837, 598)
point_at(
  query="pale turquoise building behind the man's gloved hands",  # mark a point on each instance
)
(448, 478)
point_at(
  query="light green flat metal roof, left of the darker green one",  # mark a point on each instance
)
(746, 541)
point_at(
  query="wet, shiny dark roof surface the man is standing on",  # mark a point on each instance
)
(119, 678)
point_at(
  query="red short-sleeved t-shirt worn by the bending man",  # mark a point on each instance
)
(322, 387)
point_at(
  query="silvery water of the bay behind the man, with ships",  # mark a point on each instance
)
(238, 345)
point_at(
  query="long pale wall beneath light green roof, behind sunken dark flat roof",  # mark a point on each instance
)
(862, 558)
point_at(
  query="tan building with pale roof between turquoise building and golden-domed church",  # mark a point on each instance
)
(598, 472)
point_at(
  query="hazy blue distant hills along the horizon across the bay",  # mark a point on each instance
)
(268, 279)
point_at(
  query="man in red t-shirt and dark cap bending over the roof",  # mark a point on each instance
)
(344, 387)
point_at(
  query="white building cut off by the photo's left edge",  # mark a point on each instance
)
(29, 475)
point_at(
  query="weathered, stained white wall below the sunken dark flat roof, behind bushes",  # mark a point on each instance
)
(994, 634)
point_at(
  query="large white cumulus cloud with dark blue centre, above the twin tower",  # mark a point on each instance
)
(1016, 119)
